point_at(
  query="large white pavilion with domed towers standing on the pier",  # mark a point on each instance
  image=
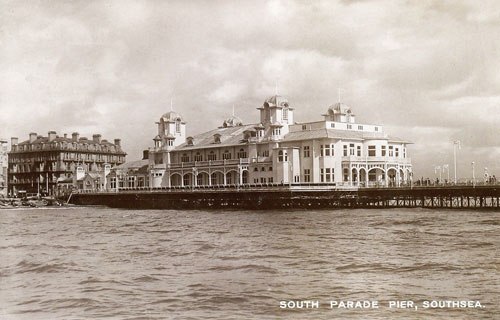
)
(333, 151)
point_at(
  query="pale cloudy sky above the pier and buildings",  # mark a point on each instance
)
(426, 70)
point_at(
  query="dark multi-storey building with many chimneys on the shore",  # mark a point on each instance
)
(42, 164)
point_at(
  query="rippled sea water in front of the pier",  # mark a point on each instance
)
(101, 263)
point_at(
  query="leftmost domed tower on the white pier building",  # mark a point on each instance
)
(171, 130)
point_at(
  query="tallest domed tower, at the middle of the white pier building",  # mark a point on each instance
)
(277, 114)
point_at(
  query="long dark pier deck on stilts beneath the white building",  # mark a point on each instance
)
(279, 196)
